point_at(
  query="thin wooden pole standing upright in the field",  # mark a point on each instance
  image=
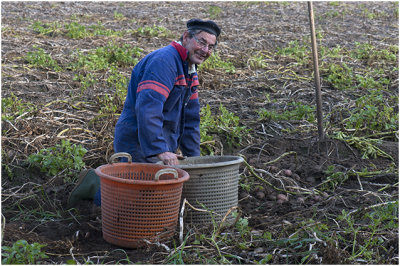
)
(316, 73)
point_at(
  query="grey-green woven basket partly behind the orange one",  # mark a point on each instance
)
(213, 185)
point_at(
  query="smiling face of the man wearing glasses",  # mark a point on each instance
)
(199, 46)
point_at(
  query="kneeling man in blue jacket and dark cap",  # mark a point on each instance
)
(161, 112)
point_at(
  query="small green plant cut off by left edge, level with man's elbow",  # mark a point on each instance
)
(12, 107)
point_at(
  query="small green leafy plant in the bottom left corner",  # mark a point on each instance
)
(22, 253)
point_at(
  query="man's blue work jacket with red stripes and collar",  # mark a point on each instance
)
(161, 111)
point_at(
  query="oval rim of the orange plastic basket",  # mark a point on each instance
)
(182, 179)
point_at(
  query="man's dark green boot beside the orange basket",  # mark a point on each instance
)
(86, 188)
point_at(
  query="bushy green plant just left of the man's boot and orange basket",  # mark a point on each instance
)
(55, 159)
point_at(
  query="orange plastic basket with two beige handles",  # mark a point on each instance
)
(139, 201)
